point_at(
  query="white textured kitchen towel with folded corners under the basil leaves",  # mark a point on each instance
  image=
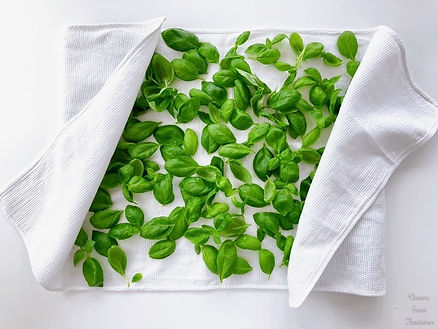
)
(339, 242)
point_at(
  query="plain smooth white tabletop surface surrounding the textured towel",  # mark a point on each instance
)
(30, 116)
